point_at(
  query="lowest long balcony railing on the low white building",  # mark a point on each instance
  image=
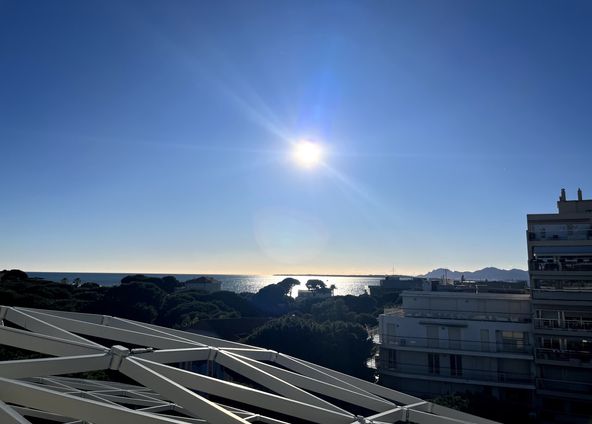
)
(463, 374)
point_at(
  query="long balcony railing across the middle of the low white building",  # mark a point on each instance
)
(518, 346)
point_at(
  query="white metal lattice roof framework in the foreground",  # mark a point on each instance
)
(181, 377)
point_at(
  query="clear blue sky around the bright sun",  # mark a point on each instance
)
(155, 136)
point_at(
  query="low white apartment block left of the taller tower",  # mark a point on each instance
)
(443, 342)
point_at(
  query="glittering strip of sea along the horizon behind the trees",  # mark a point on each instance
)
(236, 283)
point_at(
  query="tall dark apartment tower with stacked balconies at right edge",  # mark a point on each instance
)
(560, 267)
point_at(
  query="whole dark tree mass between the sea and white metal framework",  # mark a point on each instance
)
(329, 332)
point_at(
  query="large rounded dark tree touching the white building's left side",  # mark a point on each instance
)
(338, 345)
